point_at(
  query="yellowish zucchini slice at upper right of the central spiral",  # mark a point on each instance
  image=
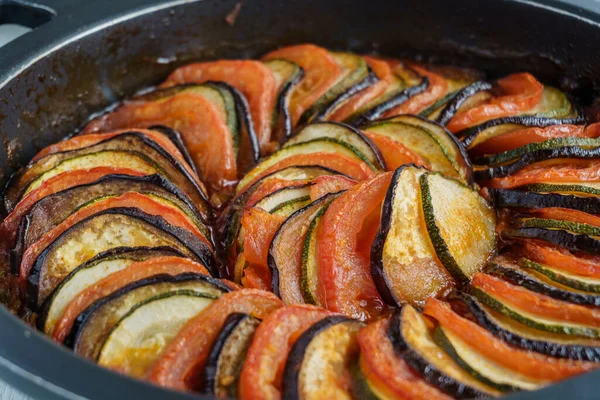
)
(430, 141)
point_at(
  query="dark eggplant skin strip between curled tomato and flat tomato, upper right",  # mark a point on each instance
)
(468, 135)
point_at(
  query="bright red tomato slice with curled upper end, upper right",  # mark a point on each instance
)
(517, 93)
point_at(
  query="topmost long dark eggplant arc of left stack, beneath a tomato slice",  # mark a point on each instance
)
(124, 141)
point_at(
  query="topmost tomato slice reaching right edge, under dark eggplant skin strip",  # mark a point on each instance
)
(522, 137)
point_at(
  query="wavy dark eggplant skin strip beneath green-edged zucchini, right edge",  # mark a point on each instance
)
(537, 156)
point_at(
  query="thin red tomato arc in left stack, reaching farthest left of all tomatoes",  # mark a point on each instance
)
(60, 182)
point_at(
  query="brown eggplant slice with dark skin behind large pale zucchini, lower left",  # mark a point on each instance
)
(97, 323)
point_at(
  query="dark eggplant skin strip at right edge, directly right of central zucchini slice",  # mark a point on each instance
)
(568, 240)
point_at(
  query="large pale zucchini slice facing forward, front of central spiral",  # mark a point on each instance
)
(460, 224)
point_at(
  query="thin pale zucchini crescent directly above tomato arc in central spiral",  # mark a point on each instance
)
(321, 145)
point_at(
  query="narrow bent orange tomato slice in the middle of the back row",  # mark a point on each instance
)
(382, 70)
